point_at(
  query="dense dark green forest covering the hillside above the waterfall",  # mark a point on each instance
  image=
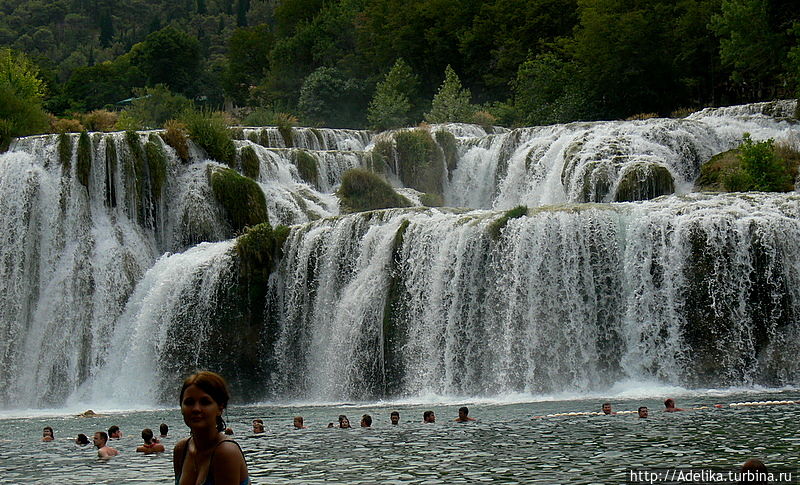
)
(379, 63)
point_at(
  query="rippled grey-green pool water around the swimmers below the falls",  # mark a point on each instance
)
(504, 446)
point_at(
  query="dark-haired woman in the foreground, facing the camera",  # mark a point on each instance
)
(207, 457)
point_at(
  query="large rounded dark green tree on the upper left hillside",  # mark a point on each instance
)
(170, 57)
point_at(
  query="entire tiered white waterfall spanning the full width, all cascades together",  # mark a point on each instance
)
(691, 289)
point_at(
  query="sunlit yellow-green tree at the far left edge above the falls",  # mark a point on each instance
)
(21, 92)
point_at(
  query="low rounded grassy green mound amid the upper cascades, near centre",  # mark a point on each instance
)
(362, 190)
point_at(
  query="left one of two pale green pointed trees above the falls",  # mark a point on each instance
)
(391, 105)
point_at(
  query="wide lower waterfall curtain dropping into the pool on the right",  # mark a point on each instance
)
(571, 298)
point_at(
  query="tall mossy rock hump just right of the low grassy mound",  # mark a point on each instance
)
(420, 160)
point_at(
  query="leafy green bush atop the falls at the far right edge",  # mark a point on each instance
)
(761, 169)
